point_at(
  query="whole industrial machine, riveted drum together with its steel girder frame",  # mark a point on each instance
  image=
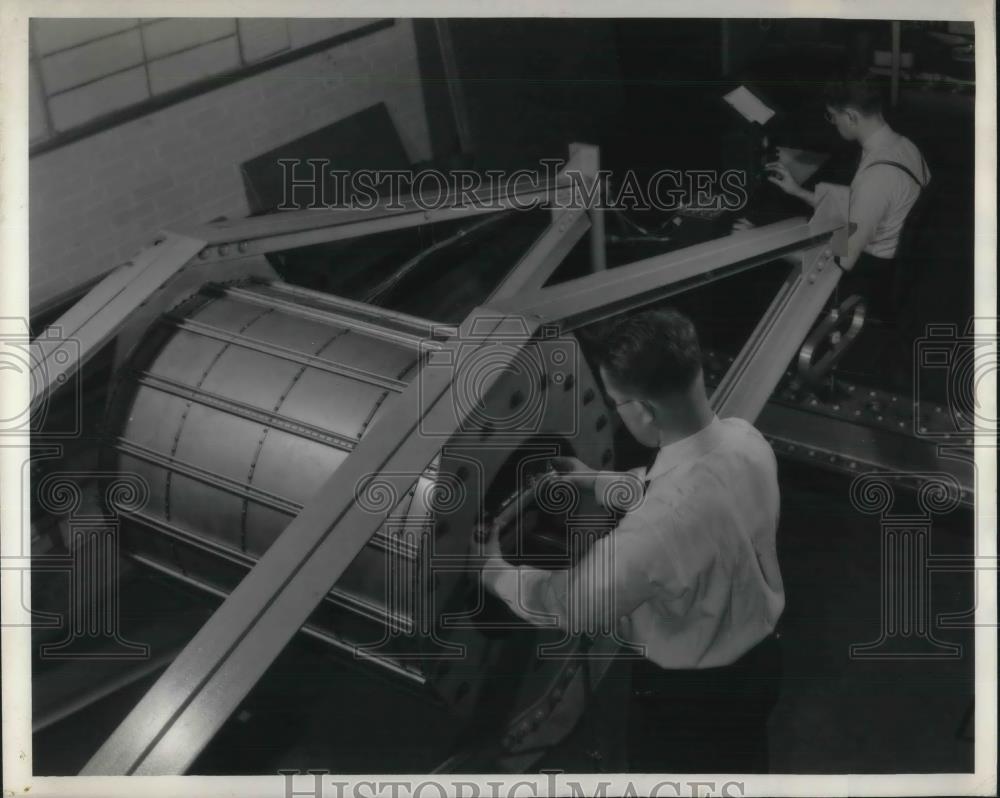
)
(324, 464)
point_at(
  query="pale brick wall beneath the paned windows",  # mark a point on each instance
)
(95, 202)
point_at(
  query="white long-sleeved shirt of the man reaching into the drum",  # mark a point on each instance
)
(690, 575)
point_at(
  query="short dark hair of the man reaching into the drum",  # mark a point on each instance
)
(656, 352)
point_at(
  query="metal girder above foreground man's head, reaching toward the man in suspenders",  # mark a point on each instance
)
(601, 295)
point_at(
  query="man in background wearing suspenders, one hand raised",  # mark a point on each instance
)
(889, 179)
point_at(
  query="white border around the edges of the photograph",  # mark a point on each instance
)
(14, 389)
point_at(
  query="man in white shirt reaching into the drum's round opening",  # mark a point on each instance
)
(690, 575)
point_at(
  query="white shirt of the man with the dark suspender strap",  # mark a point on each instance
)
(880, 196)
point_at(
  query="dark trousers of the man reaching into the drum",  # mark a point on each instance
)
(711, 720)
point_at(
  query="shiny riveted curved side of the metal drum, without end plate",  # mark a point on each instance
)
(238, 408)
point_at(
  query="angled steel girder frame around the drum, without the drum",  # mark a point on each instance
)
(201, 688)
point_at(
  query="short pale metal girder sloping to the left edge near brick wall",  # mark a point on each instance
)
(63, 348)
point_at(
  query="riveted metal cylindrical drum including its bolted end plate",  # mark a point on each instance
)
(241, 402)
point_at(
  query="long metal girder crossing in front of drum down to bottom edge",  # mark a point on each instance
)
(179, 715)
